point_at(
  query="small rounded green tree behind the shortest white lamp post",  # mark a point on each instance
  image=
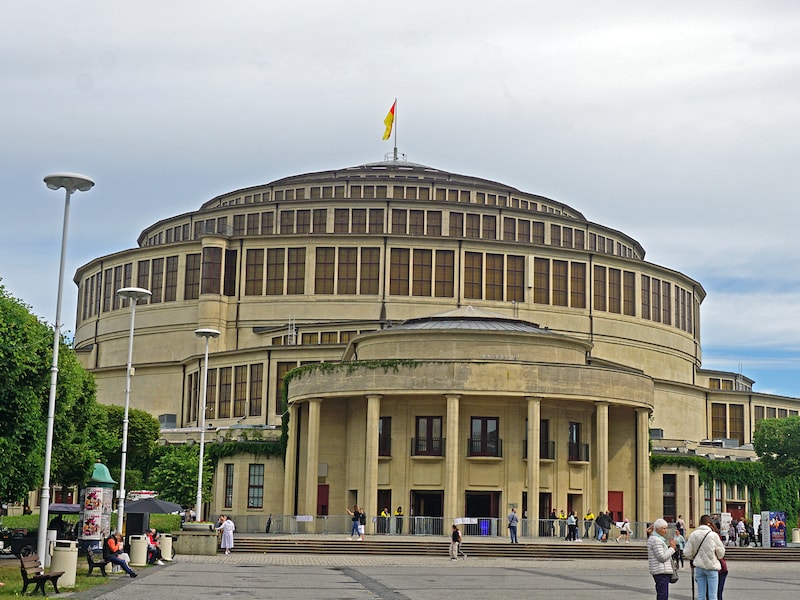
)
(175, 475)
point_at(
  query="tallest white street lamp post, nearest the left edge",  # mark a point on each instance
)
(70, 182)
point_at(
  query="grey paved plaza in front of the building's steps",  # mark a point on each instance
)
(328, 577)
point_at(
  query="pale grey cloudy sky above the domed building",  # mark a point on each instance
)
(675, 122)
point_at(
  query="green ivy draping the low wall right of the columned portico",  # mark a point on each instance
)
(767, 491)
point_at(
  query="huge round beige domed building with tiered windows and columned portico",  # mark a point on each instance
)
(466, 347)
